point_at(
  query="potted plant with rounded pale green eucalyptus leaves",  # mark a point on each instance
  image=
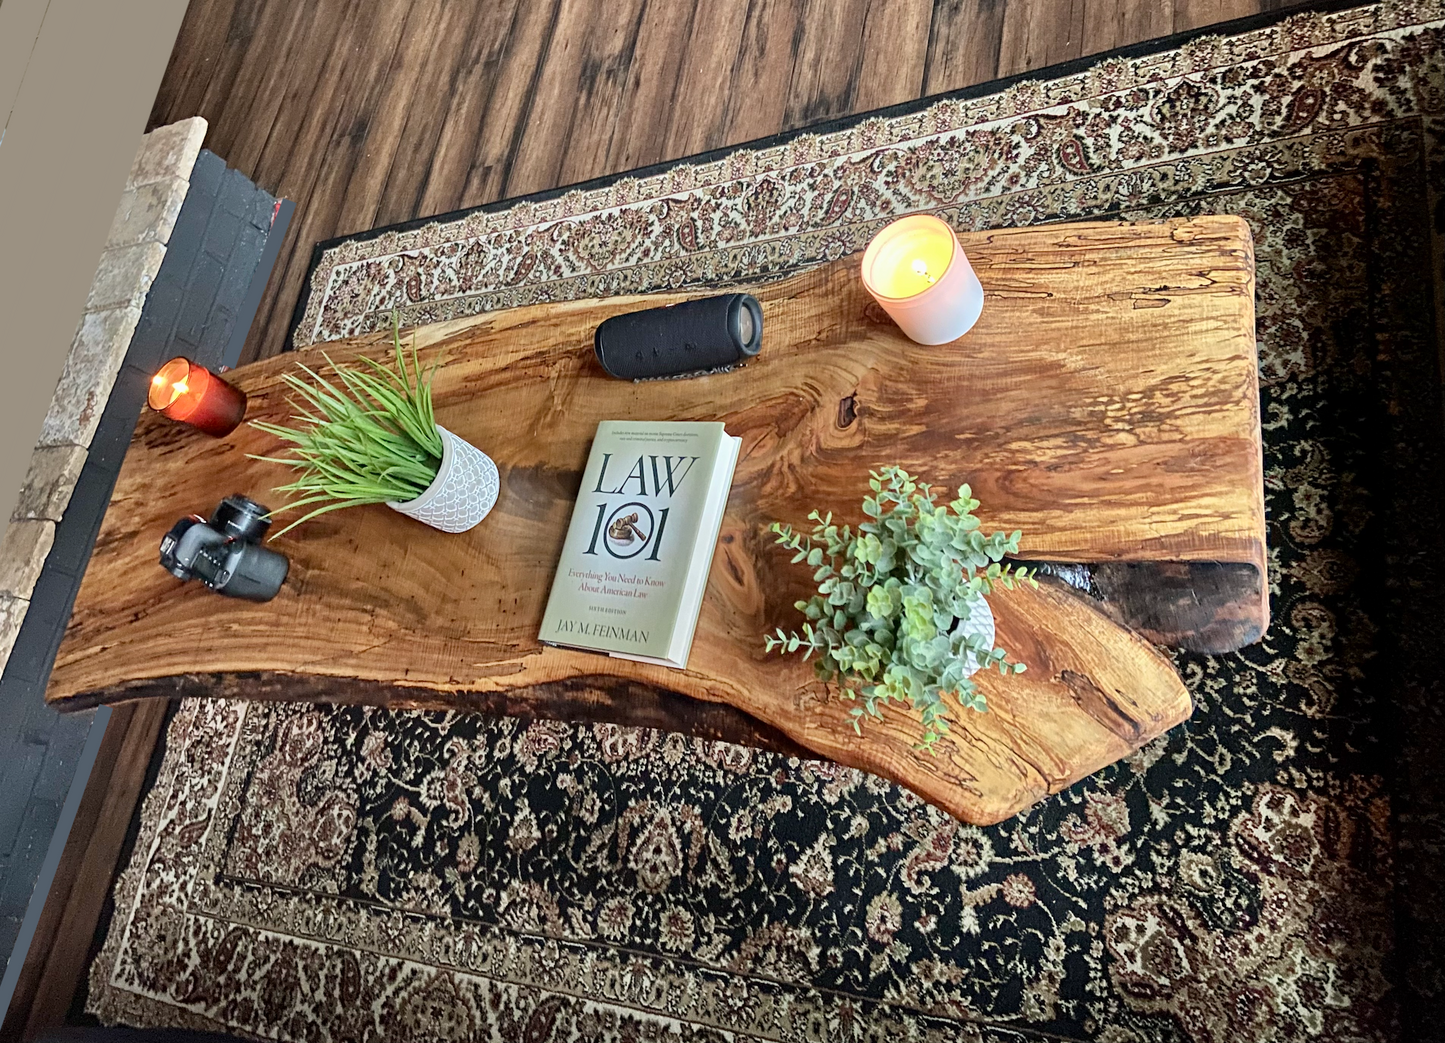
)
(901, 612)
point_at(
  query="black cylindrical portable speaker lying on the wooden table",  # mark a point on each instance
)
(684, 340)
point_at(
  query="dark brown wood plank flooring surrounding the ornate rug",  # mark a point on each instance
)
(375, 112)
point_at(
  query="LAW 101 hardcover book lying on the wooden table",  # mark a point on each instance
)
(639, 548)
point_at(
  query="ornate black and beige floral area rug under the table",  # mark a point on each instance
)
(1267, 872)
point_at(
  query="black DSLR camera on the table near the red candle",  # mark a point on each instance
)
(228, 554)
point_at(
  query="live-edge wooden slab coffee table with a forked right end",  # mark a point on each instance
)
(1106, 405)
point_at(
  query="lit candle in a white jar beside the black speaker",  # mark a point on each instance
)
(920, 275)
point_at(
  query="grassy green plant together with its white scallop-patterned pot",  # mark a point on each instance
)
(372, 438)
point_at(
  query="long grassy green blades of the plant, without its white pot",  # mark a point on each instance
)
(366, 437)
